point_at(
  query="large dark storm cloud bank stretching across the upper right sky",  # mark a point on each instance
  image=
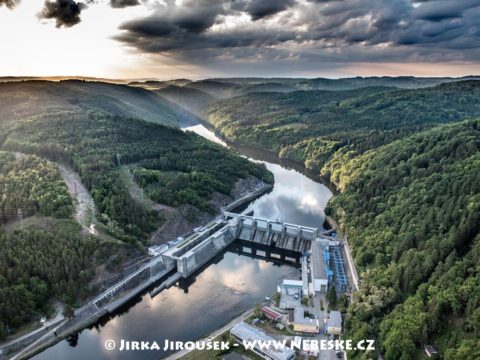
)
(337, 29)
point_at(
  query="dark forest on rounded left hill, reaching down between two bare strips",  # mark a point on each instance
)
(94, 144)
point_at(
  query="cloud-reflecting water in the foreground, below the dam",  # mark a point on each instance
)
(219, 293)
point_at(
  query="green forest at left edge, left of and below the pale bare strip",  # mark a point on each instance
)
(44, 255)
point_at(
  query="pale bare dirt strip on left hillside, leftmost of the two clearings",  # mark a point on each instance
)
(84, 206)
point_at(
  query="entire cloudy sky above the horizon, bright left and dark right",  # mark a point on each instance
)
(206, 38)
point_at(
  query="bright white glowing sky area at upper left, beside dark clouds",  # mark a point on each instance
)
(33, 47)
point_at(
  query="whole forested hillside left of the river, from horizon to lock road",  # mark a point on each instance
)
(88, 127)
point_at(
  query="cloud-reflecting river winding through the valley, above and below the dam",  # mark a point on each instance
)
(228, 286)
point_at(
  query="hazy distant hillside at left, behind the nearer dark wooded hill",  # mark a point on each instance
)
(27, 98)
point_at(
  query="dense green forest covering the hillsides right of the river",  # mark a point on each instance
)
(409, 201)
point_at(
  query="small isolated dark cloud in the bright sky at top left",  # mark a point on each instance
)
(65, 12)
